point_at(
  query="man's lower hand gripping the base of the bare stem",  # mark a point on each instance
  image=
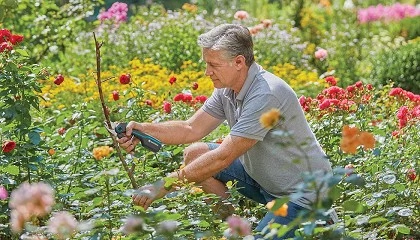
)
(145, 195)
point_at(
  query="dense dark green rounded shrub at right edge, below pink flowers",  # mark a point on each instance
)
(400, 65)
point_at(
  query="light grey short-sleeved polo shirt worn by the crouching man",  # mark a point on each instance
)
(282, 153)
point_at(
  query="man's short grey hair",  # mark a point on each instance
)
(232, 39)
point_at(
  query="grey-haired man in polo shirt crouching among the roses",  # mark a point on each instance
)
(265, 165)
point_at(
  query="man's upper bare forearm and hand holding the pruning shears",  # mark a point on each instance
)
(173, 132)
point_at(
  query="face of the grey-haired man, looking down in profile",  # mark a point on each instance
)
(221, 71)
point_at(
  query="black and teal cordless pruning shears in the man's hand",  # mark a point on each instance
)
(147, 141)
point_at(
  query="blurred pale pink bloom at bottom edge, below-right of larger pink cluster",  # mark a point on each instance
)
(62, 225)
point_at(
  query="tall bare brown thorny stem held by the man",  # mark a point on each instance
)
(106, 113)
